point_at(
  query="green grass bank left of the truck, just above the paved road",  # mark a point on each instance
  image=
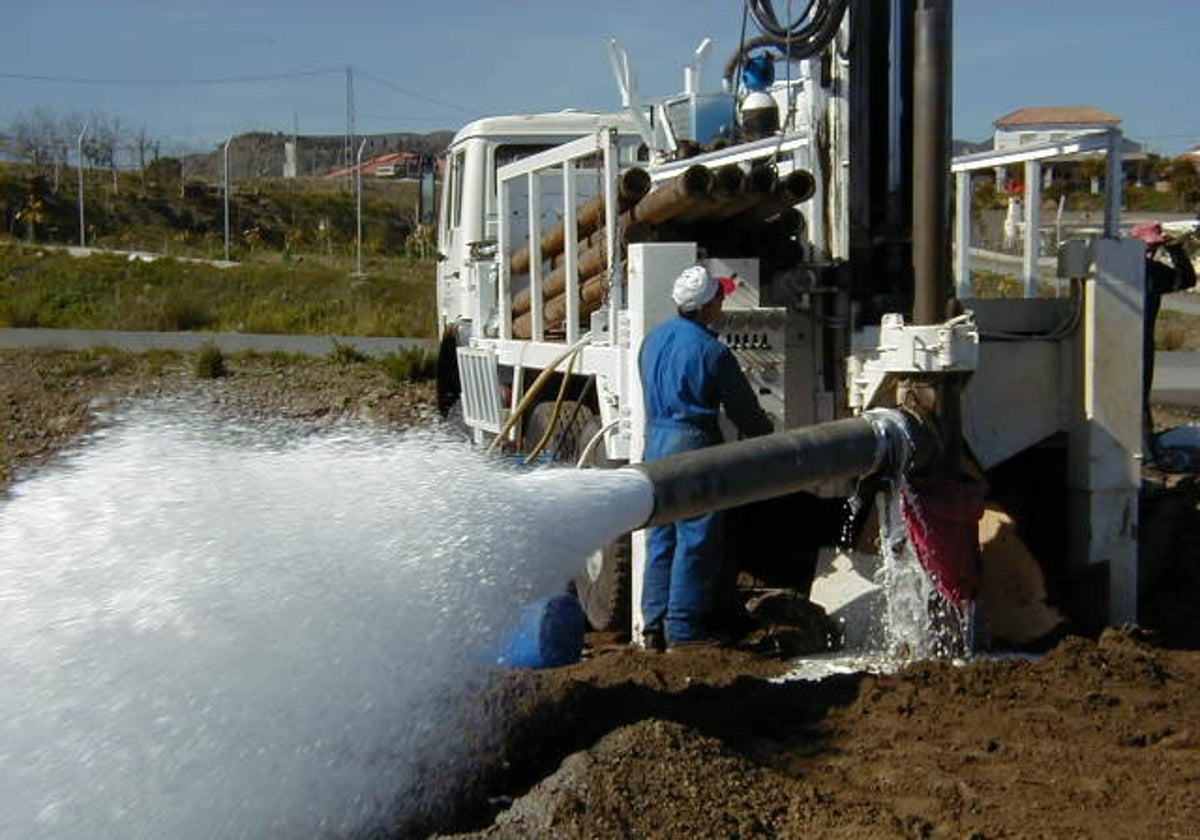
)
(49, 289)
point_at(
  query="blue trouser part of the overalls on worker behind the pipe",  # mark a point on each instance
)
(683, 563)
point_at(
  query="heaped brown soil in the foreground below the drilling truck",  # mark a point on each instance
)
(1096, 740)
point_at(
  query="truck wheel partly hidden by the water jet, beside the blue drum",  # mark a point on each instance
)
(603, 585)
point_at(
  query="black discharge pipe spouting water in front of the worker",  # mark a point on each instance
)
(734, 475)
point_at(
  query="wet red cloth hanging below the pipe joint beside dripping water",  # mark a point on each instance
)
(943, 519)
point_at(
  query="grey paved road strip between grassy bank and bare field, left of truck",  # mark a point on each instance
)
(229, 343)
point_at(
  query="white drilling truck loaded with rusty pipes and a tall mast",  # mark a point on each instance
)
(560, 236)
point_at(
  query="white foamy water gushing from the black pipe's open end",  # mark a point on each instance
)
(214, 633)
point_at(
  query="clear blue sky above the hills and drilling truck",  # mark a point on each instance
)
(195, 74)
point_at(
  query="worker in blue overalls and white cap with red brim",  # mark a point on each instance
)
(688, 375)
